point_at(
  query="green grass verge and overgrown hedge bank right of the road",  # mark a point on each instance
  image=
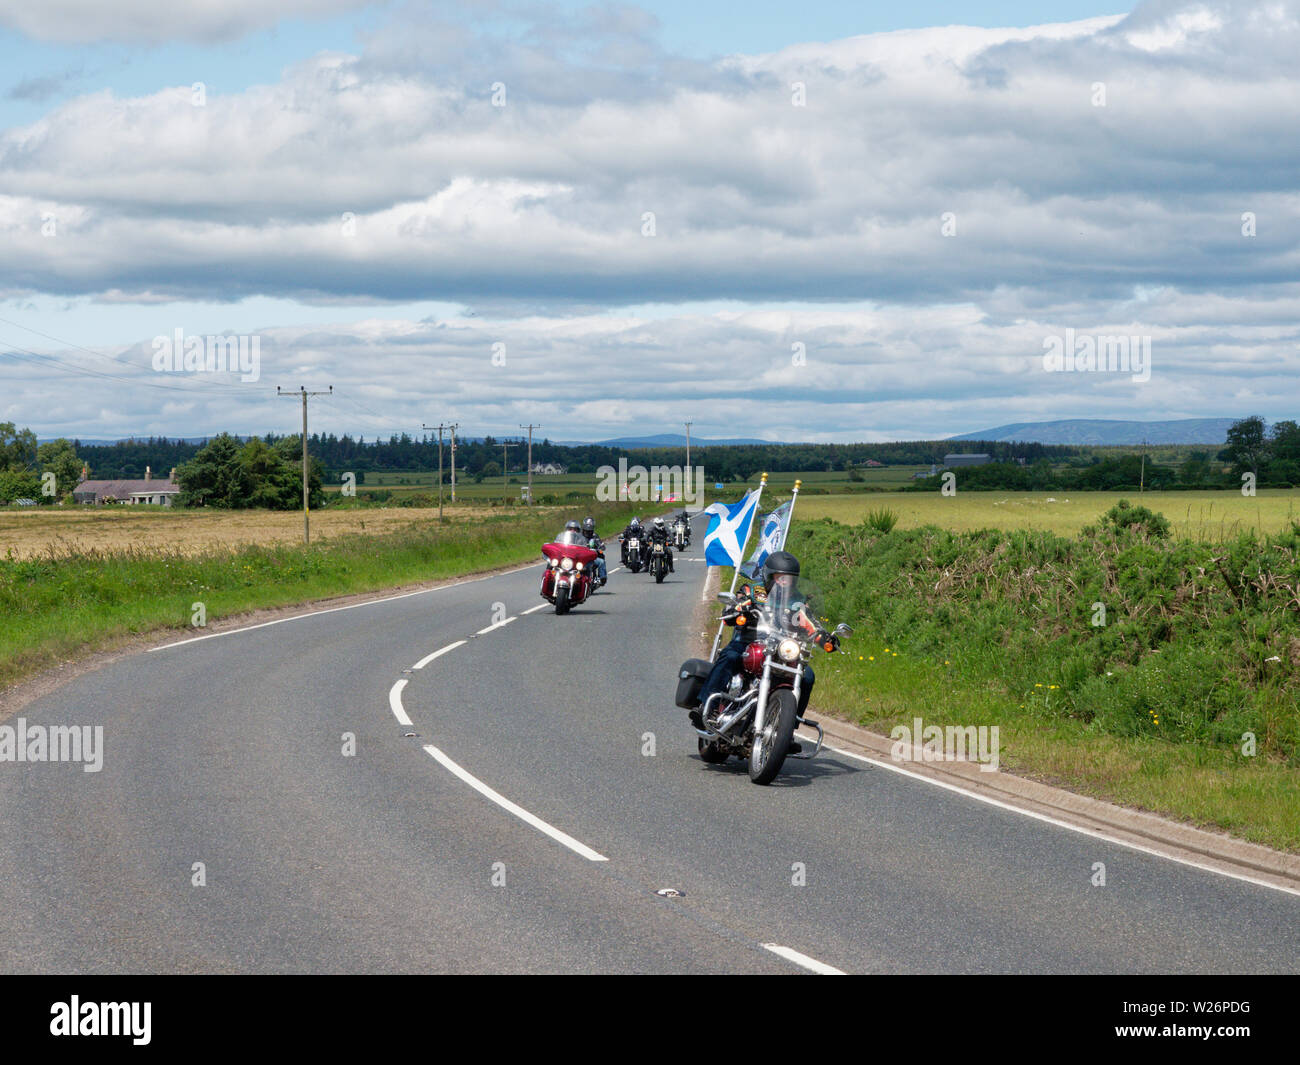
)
(1151, 711)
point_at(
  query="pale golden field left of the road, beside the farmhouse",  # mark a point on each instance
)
(41, 531)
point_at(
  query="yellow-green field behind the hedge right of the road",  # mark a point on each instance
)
(1198, 516)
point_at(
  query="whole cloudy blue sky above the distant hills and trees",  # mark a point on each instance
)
(827, 222)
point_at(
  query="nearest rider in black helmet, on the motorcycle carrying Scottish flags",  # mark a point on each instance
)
(781, 595)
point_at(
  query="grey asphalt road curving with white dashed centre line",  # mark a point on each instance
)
(229, 751)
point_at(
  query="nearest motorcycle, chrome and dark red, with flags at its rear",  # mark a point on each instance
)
(756, 717)
